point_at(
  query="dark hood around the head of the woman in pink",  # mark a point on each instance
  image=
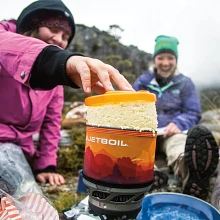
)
(44, 5)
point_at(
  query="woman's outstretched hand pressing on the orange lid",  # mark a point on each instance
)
(94, 75)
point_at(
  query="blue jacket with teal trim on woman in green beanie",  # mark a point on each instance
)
(177, 102)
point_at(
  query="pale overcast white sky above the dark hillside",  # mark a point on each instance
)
(195, 23)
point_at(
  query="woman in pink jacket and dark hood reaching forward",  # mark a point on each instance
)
(33, 68)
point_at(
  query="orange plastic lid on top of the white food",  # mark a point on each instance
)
(120, 96)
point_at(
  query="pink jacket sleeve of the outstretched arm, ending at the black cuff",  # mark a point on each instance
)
(18, 52)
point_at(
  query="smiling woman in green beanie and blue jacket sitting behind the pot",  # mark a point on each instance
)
(178, 109)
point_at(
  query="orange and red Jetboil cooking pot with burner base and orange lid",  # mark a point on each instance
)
(118, 162)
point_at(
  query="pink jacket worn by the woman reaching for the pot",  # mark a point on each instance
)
(25, 111)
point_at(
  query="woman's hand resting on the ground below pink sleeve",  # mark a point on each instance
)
(52, 178)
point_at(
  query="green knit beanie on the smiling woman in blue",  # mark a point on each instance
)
(166, 44)
